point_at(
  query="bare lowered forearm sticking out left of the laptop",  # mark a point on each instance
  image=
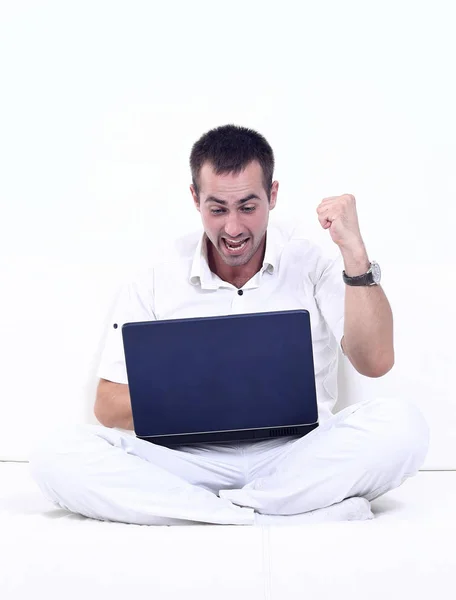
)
(112, 405)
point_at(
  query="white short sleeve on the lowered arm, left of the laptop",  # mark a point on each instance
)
(134, 303)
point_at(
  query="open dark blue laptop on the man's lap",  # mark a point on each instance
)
(221, 379)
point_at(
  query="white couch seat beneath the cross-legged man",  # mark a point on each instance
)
(407, 551)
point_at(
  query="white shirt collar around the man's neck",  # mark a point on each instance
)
(201, 274)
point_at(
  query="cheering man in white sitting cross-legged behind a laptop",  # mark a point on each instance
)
(240, 265)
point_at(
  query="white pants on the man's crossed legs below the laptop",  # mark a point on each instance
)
(365, 450)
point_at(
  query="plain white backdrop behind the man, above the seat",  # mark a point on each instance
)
(100, 103)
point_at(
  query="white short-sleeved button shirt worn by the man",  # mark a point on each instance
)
(295, 274)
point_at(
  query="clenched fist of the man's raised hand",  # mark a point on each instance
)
(338, 214)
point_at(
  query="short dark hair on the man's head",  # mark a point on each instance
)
(229, 149)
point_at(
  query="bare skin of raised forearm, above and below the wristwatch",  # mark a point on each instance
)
(368, 320)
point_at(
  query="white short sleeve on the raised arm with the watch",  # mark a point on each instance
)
(330, 294)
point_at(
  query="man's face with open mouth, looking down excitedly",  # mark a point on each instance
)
(234, 211)
